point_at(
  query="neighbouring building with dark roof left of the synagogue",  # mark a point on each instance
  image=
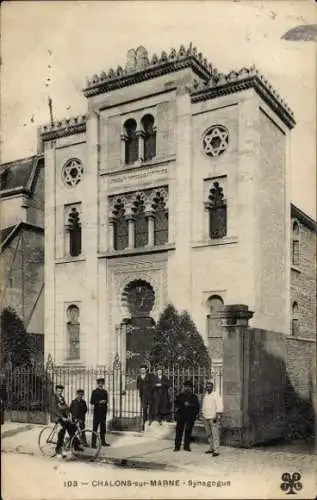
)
(22, 242)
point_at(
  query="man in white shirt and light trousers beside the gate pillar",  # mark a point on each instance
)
(211, 412)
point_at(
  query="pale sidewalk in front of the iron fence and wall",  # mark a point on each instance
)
(145, 452)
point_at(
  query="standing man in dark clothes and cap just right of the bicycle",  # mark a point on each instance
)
(99, 400)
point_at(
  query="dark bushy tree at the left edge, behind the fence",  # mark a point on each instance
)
(15, 343)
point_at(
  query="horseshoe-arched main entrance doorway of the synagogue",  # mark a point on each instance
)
(139, 298)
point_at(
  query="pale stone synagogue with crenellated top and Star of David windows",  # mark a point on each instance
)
(173, 188)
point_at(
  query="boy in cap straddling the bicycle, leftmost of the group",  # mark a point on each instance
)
(60, 414)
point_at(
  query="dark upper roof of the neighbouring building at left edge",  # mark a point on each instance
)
(19, 175)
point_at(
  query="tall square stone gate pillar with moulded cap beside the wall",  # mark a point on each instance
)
(236, 365)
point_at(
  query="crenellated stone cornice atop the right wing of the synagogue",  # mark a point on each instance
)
(220, 85)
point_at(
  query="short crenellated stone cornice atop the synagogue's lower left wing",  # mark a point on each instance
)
(64, 128)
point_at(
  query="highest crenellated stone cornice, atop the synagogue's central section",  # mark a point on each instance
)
(144, 69)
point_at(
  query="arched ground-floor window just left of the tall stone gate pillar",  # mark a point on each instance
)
(214, 328)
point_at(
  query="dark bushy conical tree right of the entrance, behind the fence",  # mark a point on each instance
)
(177, 341)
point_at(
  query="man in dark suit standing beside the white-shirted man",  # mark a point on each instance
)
(187, 410)
